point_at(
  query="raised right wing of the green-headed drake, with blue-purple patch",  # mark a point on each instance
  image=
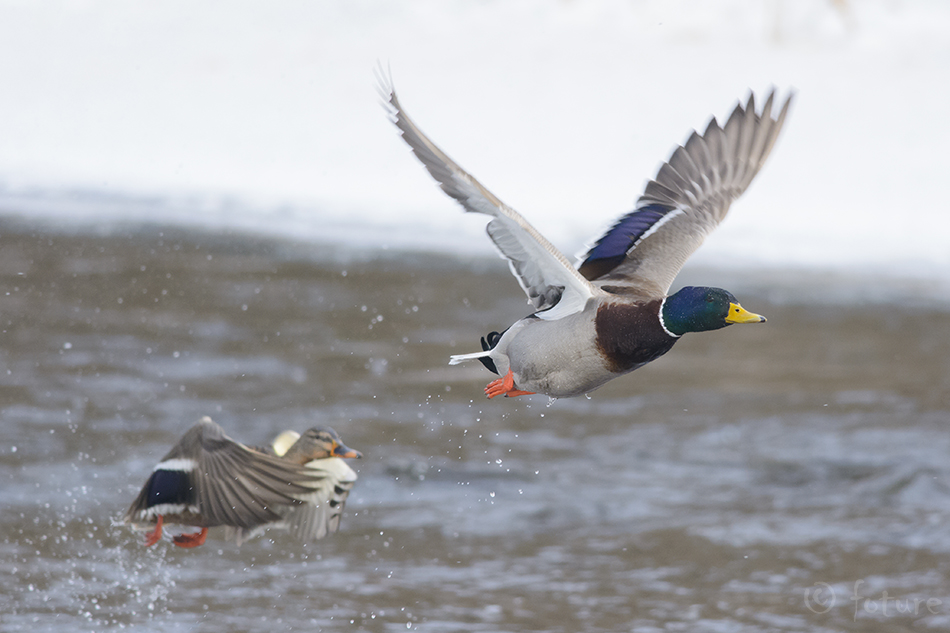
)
(645, 249)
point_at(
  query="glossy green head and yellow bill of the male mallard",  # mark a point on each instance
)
(698, 309)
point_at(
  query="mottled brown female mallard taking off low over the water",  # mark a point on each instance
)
(208, 479)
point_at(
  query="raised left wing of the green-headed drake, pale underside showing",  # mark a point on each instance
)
(553, 285)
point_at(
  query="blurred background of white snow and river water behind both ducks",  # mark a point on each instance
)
(205, 211)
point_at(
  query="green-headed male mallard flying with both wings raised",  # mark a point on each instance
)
(611, 314)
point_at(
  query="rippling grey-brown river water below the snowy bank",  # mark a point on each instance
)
(779, 477)
